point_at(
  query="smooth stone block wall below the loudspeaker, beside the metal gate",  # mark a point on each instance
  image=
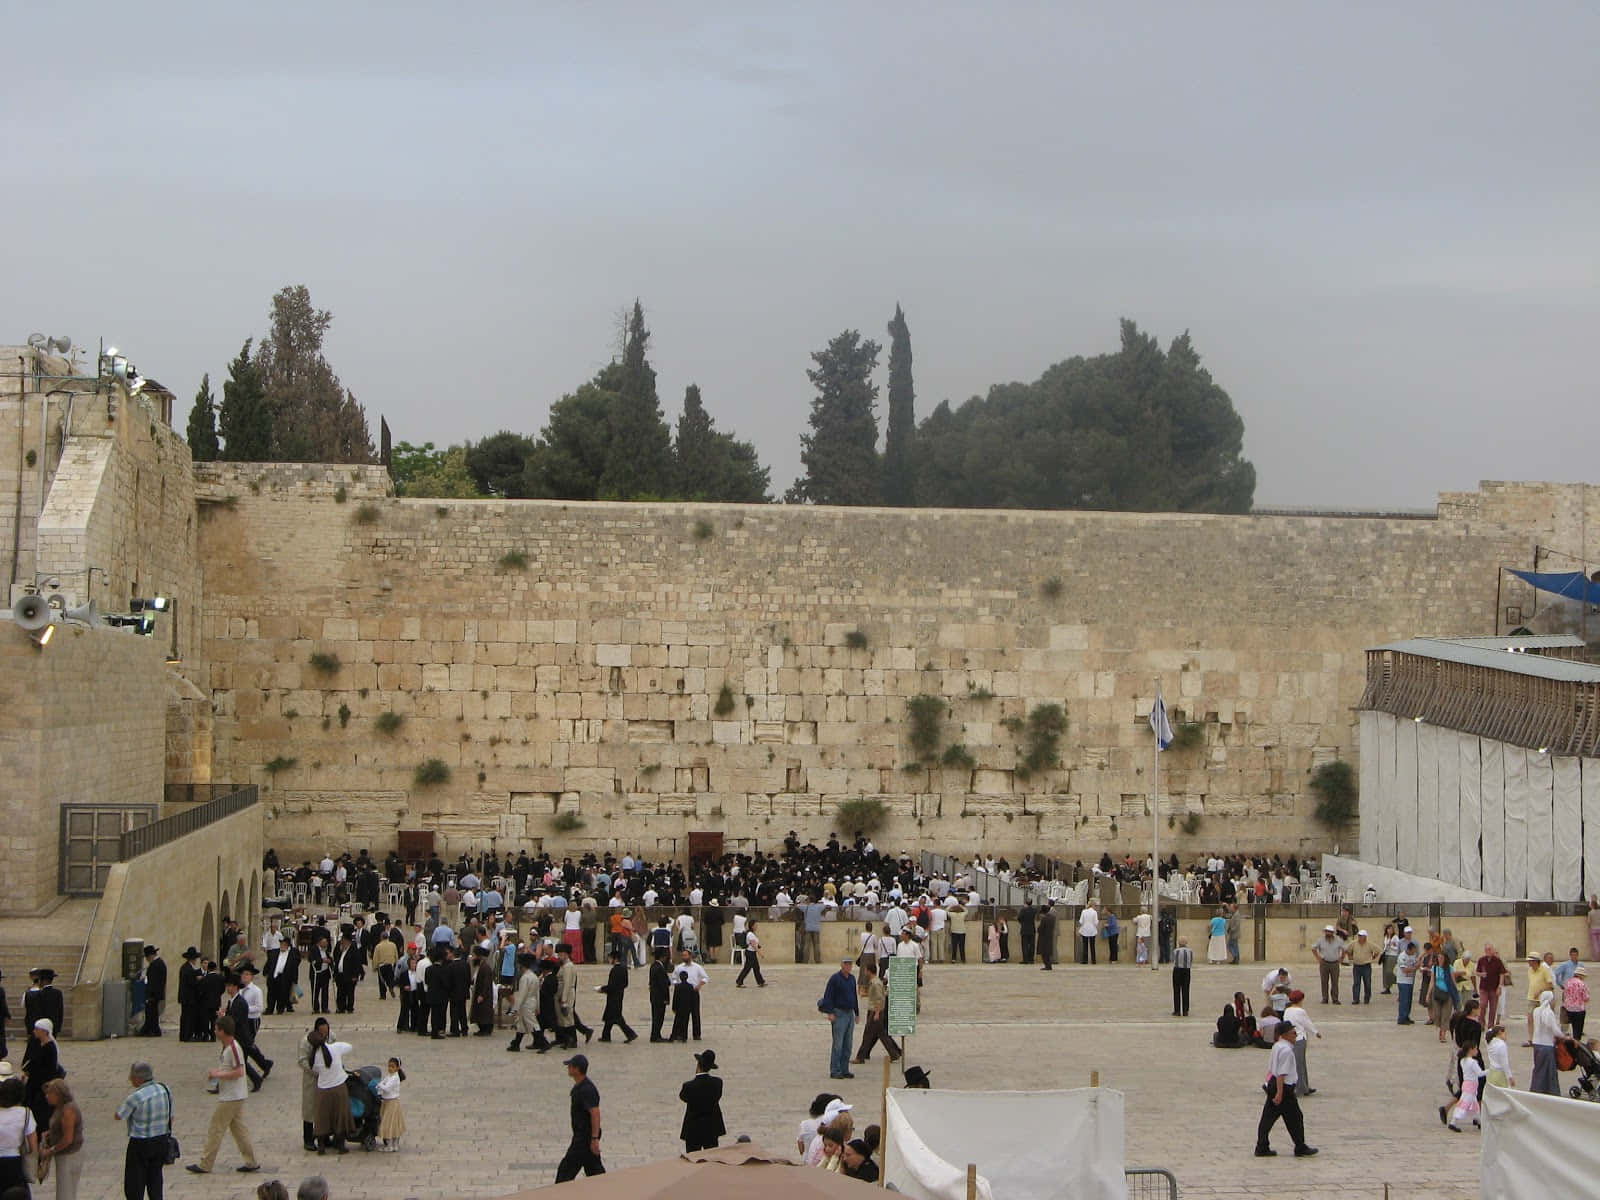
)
(84, 722)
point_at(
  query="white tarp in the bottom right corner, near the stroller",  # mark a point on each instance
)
(1538, 1146)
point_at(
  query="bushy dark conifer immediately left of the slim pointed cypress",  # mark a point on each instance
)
(841, 452)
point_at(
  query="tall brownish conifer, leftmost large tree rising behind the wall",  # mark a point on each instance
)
(314, 417)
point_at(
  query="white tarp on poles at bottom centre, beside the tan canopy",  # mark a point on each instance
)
(1025, 1143)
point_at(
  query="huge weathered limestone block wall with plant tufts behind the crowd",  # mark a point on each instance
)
(569, 658)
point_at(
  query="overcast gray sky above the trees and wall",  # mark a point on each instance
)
(1378, 222)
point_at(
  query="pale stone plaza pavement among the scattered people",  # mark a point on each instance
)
(487, 1124)
